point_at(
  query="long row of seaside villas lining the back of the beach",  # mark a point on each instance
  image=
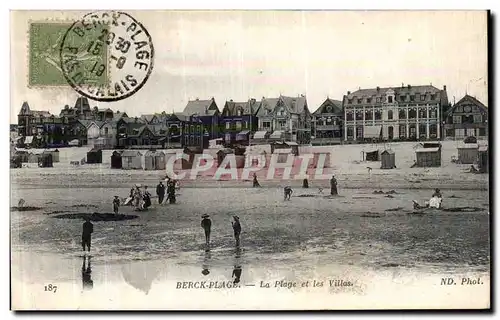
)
(383, 114)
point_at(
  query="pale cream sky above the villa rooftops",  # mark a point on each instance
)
(253, 54)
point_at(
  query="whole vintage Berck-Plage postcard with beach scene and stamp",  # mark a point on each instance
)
(271, 160)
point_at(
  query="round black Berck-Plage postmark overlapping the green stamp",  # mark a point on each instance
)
(107, 56)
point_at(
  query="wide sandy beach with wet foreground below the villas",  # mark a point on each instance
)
(369, 242)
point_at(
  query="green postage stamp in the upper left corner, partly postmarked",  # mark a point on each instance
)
(45, 44)
